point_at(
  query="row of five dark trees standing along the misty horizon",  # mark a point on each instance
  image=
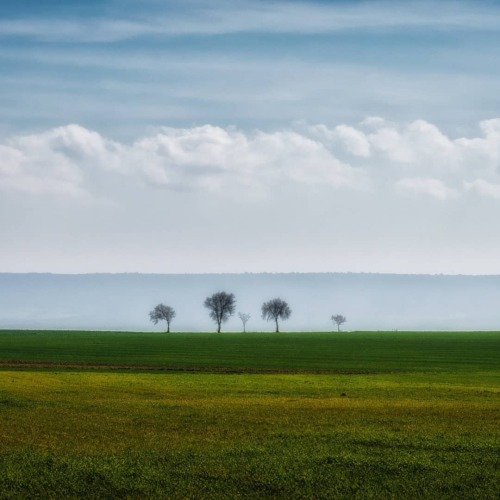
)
(221, 306)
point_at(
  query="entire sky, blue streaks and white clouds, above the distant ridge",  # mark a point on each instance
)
(248, 135)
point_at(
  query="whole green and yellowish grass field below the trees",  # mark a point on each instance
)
(289, 415)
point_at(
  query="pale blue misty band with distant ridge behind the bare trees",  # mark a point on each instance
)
(369, 301)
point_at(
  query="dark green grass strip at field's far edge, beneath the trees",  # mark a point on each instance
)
(345, 352)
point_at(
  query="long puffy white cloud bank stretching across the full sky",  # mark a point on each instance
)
(413, 159)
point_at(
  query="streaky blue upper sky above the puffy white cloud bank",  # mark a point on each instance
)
(245, 63)
